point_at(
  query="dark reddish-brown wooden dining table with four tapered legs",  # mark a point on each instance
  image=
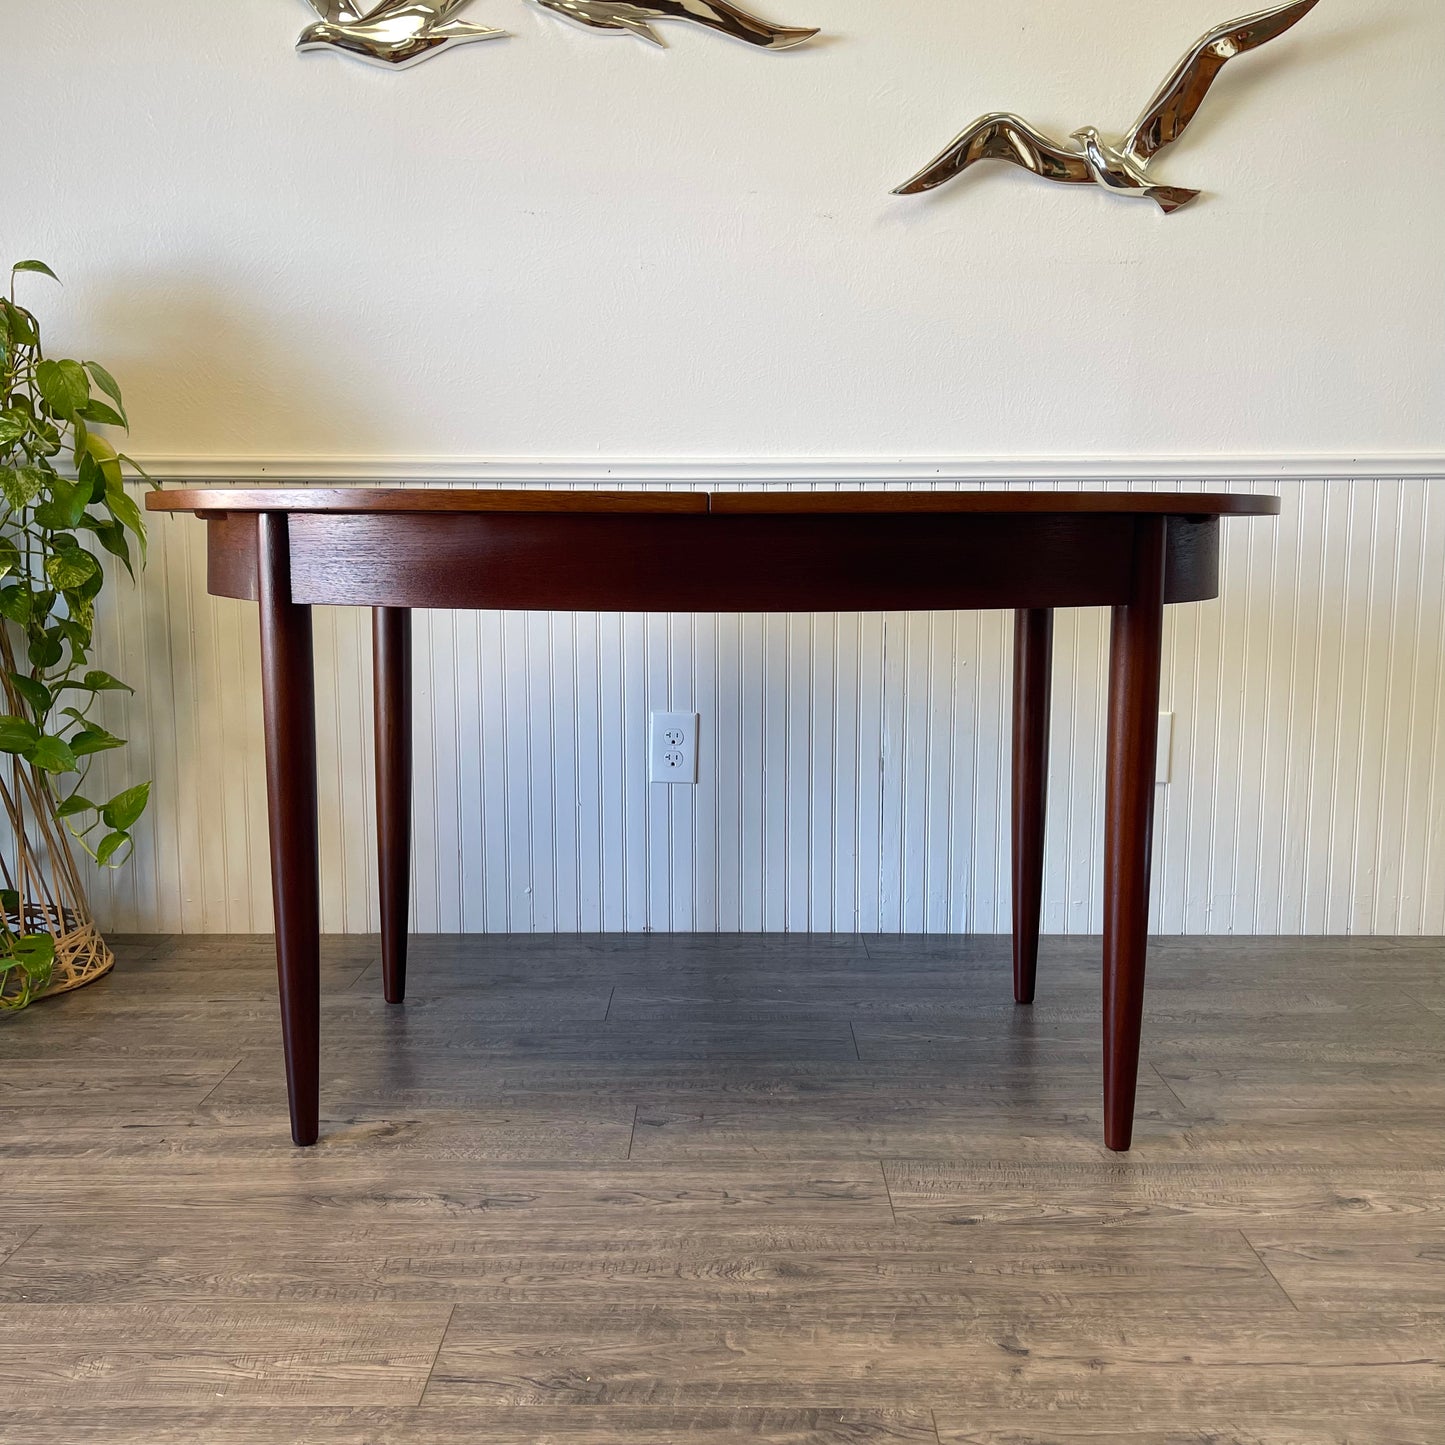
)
(394, 550)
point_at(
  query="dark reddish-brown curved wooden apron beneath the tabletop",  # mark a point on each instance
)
(719, 563)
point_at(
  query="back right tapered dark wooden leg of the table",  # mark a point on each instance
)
(1032, 689)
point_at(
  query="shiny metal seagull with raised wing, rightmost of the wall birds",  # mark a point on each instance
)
(1118, 168)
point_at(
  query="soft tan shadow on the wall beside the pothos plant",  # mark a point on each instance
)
(209, 376)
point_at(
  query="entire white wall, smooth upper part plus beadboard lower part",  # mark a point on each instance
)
(569, 255)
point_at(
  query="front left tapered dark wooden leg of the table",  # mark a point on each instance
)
(288, 690)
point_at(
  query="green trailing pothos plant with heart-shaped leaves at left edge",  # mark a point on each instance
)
(63, 504)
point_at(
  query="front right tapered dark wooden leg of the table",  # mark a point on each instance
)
(1129, 819)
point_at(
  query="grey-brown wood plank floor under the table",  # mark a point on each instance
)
(803, 1191)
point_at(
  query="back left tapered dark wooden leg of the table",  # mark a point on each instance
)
(392, 638)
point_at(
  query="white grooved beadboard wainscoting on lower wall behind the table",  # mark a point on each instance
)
(853, 768)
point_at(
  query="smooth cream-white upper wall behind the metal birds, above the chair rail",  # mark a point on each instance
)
(570, 245)
